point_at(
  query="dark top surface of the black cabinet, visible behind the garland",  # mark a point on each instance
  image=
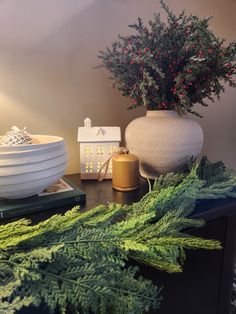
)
(102, 193)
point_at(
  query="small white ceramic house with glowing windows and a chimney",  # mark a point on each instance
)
(96, 145)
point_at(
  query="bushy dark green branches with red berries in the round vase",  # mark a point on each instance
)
(171, 65)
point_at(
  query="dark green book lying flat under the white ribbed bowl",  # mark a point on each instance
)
(60, 194)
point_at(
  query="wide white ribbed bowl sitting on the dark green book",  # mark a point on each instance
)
(27, 170)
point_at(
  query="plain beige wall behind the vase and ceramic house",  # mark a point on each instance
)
(47, 82)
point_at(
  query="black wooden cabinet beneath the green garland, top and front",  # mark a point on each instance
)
(205, 285)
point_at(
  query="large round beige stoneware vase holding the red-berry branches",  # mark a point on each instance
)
(163, 141)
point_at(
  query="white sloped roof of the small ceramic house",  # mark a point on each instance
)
(99, 134)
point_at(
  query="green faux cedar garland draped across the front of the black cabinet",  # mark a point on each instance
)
(76, 262)
